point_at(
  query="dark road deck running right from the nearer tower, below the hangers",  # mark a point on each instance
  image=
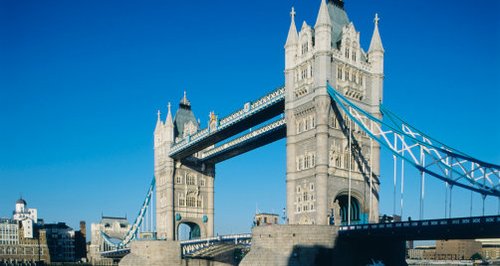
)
(435, 229)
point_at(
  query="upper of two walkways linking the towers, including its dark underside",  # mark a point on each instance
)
(253, 114)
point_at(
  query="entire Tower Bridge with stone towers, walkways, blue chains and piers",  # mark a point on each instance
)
(330, 111)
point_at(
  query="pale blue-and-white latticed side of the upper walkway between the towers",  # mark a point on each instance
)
(248, 109)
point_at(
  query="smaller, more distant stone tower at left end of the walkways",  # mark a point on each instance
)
(184, 188)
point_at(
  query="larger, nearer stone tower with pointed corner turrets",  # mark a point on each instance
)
(322, 160)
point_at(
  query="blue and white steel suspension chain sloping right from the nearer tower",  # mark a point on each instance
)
(449, 165)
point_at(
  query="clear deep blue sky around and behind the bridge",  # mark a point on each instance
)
(81, 81)
